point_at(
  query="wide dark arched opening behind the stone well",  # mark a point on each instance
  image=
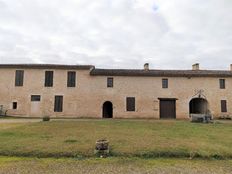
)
(198, 106)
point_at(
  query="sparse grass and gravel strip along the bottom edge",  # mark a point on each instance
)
(115, 165)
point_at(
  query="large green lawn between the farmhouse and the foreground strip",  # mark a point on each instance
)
(128, 138)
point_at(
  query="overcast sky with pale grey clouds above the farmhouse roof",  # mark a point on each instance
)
(169, 34)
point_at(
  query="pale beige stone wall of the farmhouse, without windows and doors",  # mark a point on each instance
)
(87, 98)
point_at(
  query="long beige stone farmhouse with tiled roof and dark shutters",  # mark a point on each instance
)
(83, 91)
